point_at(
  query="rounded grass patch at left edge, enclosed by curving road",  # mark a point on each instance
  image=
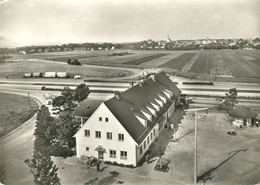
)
(14, 110)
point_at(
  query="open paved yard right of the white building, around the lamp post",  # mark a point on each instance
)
(220, 157)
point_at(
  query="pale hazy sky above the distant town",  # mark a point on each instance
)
(72, 21)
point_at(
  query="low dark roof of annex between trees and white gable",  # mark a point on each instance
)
(87, 108)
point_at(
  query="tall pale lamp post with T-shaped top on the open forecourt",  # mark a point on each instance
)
(195, 150)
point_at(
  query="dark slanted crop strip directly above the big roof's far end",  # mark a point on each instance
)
(179, 62)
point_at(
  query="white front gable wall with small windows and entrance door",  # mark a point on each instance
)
(93, 124)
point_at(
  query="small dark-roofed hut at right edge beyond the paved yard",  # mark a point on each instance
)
(242, 116)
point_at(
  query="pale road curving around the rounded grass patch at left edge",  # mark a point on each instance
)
(18, 146)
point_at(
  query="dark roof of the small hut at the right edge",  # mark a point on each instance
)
(242, 112)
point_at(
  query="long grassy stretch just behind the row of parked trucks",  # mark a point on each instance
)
(18, 68)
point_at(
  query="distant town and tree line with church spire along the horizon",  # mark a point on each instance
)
(207, 44)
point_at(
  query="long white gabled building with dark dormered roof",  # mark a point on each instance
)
(123, 127)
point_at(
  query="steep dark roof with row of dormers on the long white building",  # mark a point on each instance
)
(134, 101)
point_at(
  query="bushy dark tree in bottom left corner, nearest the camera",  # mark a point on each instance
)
(43, 169)
